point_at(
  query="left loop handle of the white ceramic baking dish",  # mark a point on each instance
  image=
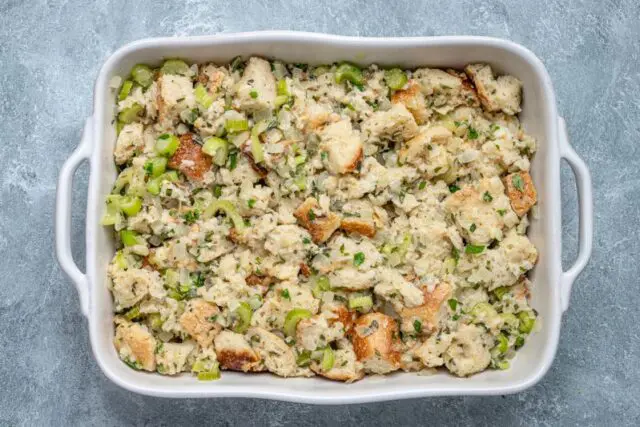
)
(63, 216)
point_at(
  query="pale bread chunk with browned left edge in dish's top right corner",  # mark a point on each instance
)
(501, 94)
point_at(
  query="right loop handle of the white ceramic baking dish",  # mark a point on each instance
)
(585, 209)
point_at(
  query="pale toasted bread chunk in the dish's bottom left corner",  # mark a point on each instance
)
(135, 345)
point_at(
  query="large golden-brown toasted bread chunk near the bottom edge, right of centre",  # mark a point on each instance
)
(375, 342)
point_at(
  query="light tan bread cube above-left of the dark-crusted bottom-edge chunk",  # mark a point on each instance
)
(198, 321)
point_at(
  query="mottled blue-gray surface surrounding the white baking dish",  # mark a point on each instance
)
(50, 54)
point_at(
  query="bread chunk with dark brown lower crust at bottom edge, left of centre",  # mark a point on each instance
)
(234, 352)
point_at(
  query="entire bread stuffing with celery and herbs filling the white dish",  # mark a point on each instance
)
(319, 220)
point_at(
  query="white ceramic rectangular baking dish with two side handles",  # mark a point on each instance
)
(551, 286)
